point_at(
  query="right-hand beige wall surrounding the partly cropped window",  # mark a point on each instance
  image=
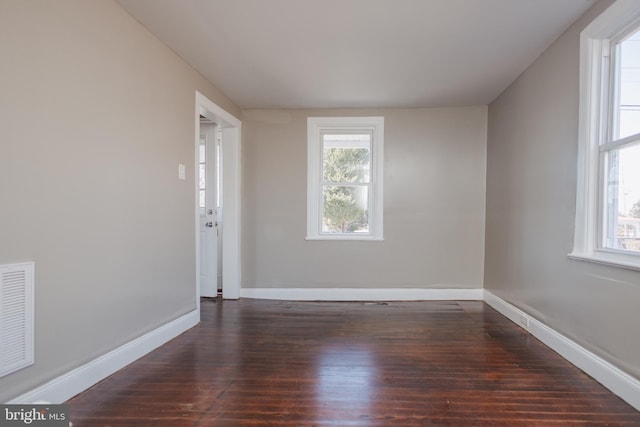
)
(531, 190)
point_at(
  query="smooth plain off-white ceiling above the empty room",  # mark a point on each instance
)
(358, 53)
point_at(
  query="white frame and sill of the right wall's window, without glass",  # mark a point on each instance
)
(594, 120)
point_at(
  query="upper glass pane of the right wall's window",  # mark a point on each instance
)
(629, 96)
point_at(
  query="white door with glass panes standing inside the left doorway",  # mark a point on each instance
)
(209, 205)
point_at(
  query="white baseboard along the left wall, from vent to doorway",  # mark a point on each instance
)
(70, 384)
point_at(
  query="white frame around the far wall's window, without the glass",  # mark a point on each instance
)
(316, 126)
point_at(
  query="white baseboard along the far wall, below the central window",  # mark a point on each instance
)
(357, 294)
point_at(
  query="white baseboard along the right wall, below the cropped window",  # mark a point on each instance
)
(622, 384)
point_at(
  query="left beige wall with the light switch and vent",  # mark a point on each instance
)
(95, 115)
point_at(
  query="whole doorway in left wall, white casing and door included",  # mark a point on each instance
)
(217, 185)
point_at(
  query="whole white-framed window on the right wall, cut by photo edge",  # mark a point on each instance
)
(608, 199)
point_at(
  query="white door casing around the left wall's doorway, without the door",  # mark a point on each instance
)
(231, 197)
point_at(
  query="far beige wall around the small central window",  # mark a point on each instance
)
(434, 186)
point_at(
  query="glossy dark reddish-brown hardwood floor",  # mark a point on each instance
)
(277, 363)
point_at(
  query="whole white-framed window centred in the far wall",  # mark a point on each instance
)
(344, 181)
